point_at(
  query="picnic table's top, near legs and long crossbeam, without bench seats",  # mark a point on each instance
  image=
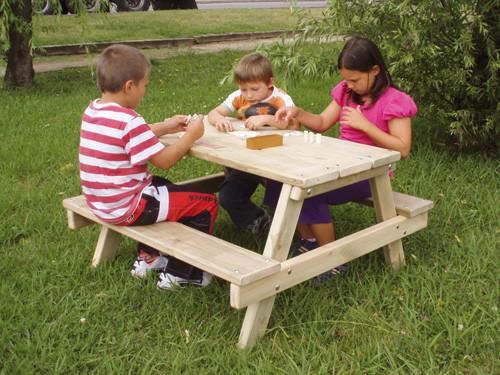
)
(307, 169)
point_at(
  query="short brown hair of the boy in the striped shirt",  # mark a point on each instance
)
(118, 64)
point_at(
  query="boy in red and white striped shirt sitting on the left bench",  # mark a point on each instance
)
(116, 145)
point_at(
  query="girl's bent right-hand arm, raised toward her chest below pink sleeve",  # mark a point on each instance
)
(398, 138)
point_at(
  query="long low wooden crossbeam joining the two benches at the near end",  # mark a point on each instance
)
(303, 267)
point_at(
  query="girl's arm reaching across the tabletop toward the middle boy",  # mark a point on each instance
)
(319, 123)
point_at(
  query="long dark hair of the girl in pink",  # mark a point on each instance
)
(362, 54)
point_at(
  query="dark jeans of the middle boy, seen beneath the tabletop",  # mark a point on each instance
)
(234, 196)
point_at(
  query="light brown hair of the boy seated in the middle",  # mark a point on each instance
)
(253, 68)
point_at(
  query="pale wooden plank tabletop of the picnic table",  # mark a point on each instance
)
(297, 162)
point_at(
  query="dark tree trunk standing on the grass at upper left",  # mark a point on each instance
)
(19, 71)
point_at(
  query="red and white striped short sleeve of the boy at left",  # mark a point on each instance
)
(141, 143)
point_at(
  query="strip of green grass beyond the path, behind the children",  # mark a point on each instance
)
(49, 30)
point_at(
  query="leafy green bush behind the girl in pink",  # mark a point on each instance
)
(444, 53)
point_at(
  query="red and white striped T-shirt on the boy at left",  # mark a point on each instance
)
(115, 146)
